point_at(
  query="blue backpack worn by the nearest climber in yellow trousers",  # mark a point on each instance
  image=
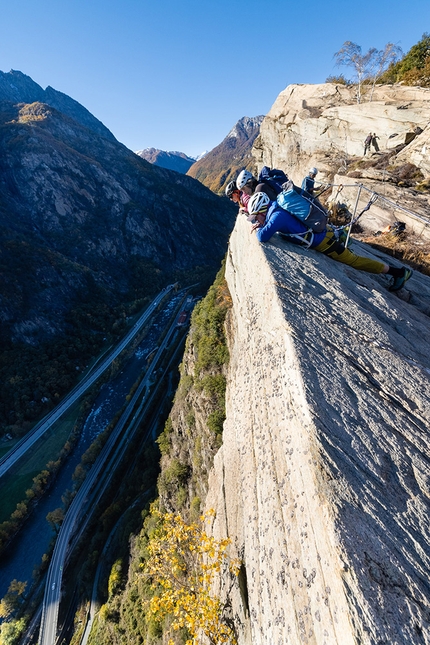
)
(304, 207)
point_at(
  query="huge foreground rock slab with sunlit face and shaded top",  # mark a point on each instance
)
(322, 481)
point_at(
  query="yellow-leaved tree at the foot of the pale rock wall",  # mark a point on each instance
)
(183, 566)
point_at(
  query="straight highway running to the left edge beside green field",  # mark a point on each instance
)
(39, 429)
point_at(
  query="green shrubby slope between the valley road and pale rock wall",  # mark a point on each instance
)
(192, 435)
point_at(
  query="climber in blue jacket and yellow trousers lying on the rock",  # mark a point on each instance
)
(271, 219)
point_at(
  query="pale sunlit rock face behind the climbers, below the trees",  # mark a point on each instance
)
(324, 126)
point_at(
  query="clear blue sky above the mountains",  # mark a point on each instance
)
(178, 74)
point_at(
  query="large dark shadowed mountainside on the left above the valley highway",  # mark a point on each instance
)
(88, 231)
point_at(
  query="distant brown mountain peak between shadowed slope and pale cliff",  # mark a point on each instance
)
(223, 163)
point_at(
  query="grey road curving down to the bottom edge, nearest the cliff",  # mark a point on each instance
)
(91, 491)
